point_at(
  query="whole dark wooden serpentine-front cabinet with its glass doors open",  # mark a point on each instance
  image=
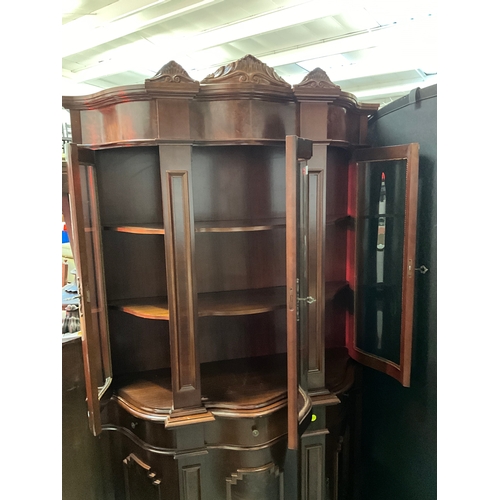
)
(226, 235)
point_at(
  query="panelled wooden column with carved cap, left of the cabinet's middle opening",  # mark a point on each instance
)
(174, 91)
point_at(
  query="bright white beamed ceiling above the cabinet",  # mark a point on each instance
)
(379, 50)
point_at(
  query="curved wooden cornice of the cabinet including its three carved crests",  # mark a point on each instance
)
(243, 102)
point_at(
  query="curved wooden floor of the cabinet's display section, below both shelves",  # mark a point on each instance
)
(238, 388)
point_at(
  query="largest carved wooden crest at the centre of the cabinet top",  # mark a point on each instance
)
(248, 69)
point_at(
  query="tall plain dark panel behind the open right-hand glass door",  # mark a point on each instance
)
(399, 434)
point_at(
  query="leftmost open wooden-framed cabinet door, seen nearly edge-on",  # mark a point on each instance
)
(88, 259)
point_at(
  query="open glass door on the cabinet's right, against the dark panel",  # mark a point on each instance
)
(383, 202)
